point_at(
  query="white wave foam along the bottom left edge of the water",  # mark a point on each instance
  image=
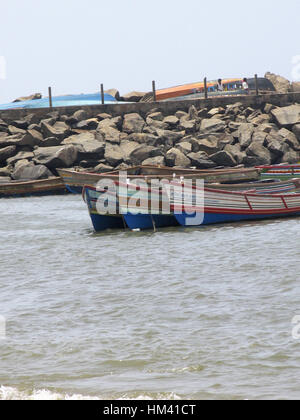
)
(10, 393)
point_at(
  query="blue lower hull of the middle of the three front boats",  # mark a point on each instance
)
(146, 221)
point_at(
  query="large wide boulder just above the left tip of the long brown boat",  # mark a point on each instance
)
(56, 157)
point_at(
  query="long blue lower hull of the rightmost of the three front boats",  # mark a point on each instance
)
(214, 218)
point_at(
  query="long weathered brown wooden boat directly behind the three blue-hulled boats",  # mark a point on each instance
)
(75, 180)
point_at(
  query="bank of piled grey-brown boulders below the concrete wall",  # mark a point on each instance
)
(33, 148)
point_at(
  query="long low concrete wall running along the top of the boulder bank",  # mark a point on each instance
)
(168, 108)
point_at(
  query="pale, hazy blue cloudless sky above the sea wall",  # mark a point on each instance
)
(75, 45)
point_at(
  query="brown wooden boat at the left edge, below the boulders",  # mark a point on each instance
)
(48, 186)
